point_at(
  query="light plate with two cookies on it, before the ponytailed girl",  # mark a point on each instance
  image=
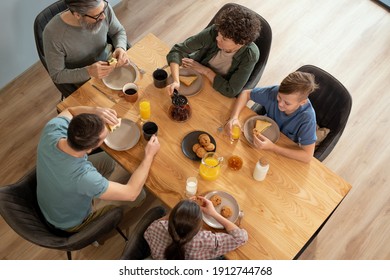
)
(225, 204)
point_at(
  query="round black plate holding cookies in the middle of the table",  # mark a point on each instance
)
(197, 143)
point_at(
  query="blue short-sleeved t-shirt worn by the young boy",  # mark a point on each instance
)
(299, 126)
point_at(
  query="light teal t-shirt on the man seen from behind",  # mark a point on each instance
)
(66, 185)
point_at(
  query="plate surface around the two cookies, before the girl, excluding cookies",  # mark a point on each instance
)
(227, 200)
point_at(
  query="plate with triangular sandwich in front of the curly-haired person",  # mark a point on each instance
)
(191, 81)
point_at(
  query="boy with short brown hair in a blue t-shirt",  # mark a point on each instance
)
(289, 106)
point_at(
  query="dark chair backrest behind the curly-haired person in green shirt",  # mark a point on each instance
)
(263, 42)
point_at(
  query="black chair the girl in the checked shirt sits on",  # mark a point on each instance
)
(137, 248)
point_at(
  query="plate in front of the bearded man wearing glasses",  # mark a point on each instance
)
(121, 76)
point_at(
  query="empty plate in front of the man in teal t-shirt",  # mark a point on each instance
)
(124, 137)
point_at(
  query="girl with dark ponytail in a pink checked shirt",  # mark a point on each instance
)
(180, 237)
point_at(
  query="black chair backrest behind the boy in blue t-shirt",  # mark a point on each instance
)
(332, 104)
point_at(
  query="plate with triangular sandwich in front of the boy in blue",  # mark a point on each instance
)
(261, 124)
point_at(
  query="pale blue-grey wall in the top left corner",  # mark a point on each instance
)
(17, 44)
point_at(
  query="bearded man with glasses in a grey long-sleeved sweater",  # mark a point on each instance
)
(75, 43)
